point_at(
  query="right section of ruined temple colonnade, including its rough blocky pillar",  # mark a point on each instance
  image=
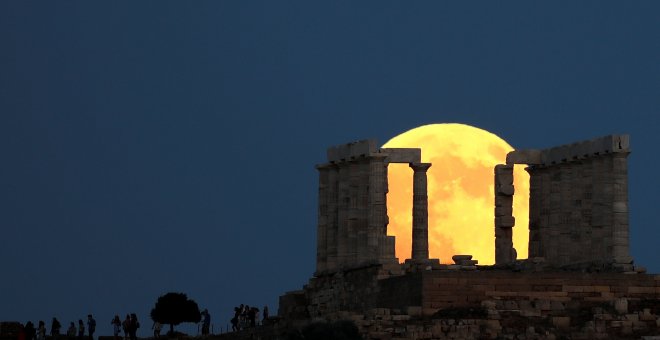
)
(578, 203)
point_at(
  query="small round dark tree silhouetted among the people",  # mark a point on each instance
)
(175, 308)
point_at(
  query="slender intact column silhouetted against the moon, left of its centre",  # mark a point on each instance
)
(420, 227)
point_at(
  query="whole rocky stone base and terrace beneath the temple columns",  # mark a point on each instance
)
(486, 304)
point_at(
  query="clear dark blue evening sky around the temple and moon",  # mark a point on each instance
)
(150, 147)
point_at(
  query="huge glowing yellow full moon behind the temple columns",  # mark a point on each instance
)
(460, 192)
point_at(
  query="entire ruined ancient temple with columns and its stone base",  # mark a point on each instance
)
(578, 282)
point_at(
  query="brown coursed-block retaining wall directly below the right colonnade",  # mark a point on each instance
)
(445, 289)
